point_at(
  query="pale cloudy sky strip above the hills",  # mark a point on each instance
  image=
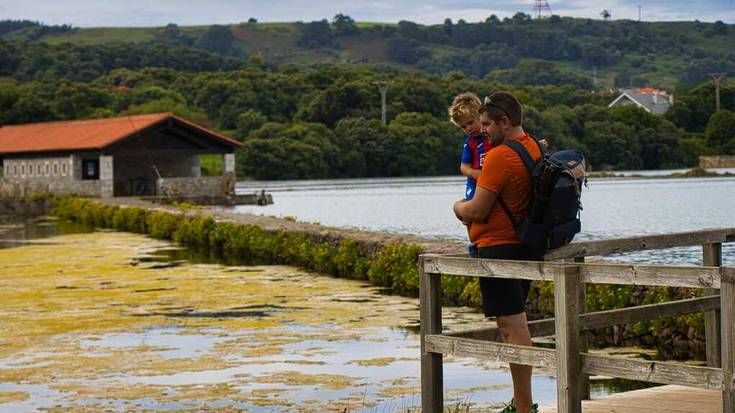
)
(90, 13)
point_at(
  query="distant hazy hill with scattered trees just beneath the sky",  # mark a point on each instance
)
(635, 51)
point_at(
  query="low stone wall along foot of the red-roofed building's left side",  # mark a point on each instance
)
(10, 187)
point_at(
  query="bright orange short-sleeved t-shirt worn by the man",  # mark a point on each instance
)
(505, 174)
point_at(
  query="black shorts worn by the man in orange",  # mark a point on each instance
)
(503, 296)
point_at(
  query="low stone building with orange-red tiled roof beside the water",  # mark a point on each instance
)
(152, 154)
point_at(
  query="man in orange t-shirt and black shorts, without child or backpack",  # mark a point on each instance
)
(504, 175)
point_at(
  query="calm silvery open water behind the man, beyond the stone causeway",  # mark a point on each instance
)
(612, 208)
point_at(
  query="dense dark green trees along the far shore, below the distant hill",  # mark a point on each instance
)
(321, 122)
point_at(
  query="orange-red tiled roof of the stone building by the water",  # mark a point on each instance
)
(92, 134)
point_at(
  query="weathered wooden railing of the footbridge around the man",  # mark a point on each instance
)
(573, 364)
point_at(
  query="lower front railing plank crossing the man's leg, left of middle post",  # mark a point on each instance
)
(487, 350)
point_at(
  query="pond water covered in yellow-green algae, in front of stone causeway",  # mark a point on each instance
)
(107, 321)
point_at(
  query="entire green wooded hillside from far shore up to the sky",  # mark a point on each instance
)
(306, 105)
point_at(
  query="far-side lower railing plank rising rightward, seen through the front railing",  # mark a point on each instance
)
(588, 321)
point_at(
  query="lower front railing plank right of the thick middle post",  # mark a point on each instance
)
(653, 371)
